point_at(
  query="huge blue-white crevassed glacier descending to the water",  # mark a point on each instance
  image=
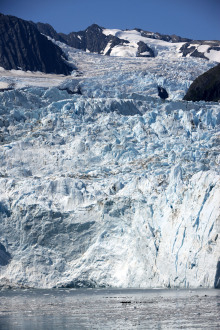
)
(114, 187)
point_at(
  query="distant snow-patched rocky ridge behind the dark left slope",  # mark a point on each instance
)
(137, 42)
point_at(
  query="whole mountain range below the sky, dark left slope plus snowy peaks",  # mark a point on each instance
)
(25, 45)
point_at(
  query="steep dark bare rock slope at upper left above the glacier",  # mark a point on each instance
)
(22, 46)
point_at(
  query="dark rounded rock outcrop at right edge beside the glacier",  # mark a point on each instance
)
(206, 87)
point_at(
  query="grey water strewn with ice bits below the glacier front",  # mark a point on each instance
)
(109, 309)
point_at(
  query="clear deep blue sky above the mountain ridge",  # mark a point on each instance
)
(195, 19)
